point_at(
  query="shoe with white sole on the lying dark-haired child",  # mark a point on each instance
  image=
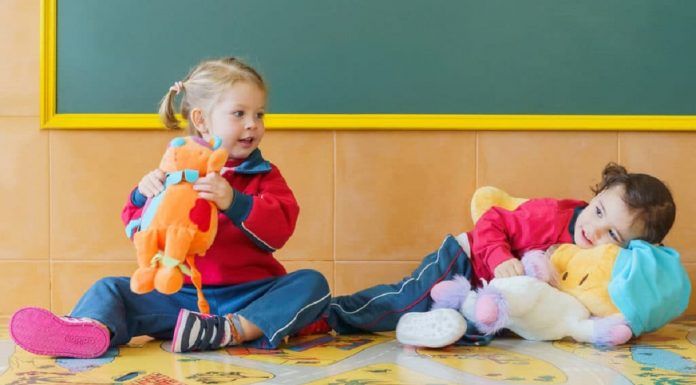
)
(433, 329)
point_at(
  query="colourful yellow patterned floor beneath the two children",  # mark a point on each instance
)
(666, 357)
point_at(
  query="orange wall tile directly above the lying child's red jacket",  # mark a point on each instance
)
(544, 164)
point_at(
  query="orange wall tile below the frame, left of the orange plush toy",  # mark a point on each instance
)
(92, 174)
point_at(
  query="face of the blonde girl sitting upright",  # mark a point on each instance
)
(237, 118)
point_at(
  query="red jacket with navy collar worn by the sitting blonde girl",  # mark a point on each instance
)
(260, 220)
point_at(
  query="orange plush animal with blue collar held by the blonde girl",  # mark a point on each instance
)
(176, 225)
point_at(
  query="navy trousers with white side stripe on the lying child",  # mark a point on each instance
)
(378, 308)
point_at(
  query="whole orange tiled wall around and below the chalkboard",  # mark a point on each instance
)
(373, 203)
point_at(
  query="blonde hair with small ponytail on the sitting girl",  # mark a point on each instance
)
(203, 86)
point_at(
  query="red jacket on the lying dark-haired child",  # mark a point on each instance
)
(536, 224)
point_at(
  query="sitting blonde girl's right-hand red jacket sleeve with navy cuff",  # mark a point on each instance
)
(267, 217)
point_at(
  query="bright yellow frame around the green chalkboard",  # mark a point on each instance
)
(50, 119)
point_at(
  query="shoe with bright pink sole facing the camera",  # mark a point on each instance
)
(41, 332)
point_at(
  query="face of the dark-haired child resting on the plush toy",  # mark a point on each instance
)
(607, 219)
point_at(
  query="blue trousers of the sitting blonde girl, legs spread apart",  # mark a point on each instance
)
(279, 306)
